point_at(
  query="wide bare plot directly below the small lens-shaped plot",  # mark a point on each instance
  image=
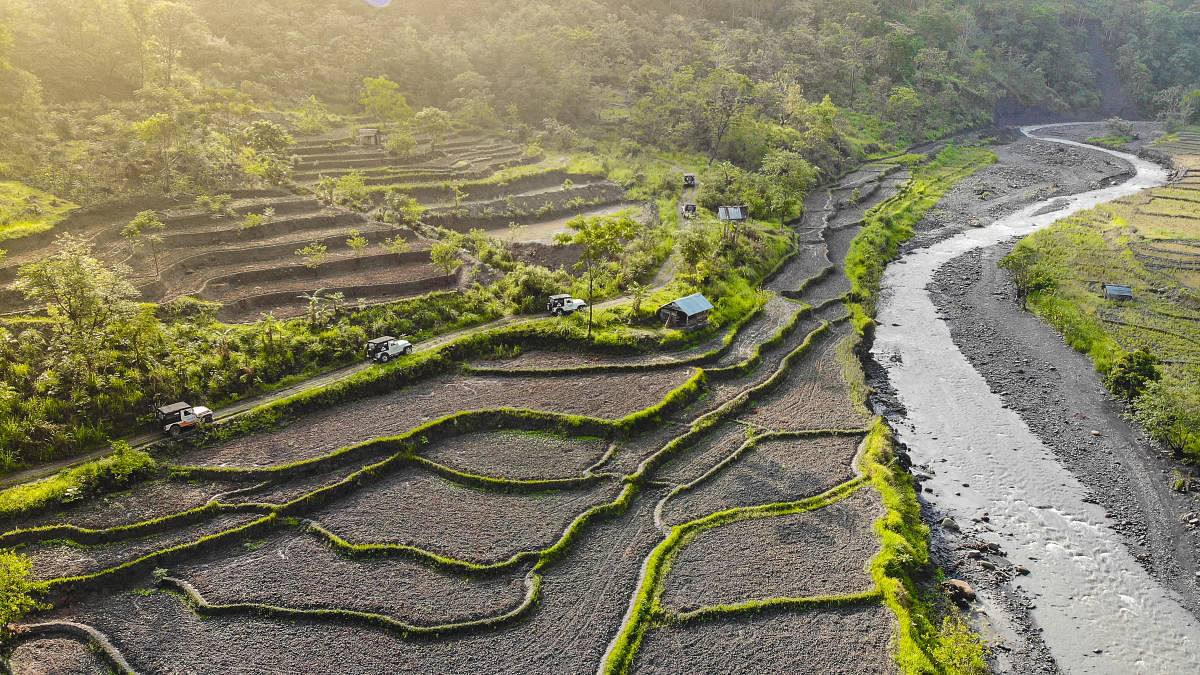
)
(431, 513)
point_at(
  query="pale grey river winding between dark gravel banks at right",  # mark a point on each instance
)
(1090, 594)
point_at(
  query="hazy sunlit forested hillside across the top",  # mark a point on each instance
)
(81, 82)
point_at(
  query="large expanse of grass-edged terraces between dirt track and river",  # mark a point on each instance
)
(520, 547)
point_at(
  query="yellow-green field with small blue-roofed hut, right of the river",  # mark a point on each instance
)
(1150, 242)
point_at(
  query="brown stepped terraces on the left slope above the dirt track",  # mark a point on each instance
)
(255, 270)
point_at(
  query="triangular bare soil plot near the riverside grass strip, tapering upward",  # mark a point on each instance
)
(814, 395)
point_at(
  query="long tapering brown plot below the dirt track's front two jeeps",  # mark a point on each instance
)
(610, 397)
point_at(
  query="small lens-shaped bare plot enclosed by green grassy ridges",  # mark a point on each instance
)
(519, 456)
